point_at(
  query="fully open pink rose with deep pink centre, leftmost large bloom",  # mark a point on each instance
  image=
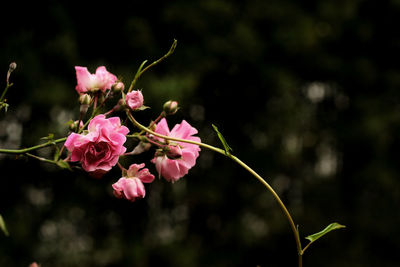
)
(99, 149)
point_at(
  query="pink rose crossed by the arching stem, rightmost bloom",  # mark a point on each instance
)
(175, 161)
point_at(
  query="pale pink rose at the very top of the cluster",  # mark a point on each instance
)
(87, 82)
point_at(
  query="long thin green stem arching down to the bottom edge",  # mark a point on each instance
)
(246, 167)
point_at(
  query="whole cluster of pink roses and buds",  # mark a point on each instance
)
(99, 147)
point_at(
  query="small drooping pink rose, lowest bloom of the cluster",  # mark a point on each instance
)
(131, 187)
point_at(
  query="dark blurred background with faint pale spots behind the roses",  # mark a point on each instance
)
(306, 92)
